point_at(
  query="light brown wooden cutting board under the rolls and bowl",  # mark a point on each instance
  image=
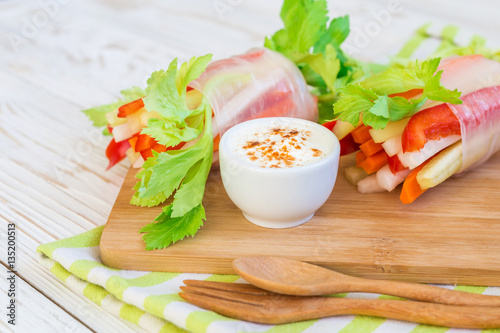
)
(450, 235)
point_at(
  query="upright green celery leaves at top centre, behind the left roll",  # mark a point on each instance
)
(313, 44)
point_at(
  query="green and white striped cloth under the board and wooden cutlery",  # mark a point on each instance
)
(151, 300)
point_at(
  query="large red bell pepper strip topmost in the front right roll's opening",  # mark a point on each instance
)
(430, 124)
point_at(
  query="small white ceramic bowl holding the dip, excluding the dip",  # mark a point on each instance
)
(278, 197)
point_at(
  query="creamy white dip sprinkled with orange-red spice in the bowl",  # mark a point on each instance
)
(280, 147)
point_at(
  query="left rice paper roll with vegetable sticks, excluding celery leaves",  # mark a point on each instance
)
(260, 83)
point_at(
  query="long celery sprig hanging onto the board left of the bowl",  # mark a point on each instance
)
(181, 173)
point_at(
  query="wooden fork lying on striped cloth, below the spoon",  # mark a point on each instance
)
(246, 302)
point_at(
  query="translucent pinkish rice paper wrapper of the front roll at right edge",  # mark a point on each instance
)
(479, 117)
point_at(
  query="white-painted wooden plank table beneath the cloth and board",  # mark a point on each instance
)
(60, 56)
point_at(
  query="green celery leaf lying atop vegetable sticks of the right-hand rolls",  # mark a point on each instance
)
(370, 98)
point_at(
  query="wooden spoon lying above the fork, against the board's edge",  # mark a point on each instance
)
(292, 277)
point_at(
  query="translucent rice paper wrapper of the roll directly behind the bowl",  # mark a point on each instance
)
(260, 83)
